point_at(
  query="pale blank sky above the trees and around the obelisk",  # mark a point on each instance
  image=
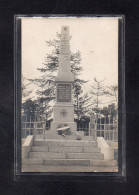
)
(95, 37)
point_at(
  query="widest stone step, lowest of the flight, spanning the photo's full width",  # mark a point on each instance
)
(67, 162)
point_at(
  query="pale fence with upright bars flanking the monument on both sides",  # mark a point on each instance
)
(96, 128)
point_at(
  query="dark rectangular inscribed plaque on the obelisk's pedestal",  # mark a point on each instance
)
(64, 92)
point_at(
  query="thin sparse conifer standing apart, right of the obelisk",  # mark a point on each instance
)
(97, 91)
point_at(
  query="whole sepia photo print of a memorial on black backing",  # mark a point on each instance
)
(69, 94)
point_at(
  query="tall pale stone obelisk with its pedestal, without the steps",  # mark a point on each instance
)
(63, 111)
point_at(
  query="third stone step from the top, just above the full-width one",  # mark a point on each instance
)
(53, 155)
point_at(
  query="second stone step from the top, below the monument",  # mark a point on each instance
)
(64, 149)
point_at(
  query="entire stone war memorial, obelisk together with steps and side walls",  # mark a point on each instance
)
(63, 149)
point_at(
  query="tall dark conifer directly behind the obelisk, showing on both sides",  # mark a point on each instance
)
(46, 84)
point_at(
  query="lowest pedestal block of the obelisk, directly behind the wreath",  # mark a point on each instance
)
(72, 125)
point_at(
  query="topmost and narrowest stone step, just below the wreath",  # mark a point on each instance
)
(57, 143)
